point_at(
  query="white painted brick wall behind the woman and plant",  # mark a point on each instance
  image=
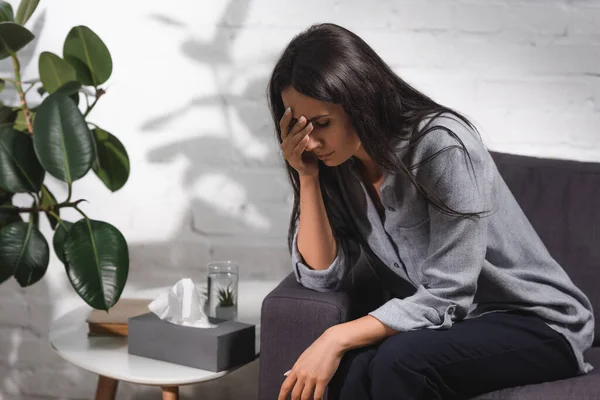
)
(187, 100)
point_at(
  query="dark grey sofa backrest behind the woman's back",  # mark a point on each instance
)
(561, 199)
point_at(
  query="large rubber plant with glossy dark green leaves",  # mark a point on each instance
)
(56, 138)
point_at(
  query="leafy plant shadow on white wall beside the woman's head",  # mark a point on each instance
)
(236, 174)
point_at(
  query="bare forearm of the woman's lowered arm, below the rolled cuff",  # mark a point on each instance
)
(360, 332)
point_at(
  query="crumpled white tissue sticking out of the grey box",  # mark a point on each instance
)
(181, 305)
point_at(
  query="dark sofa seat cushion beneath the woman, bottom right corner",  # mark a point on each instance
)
(584, 387)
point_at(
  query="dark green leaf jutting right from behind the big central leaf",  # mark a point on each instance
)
(112, 163)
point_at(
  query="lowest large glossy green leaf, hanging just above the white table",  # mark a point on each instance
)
(98, 262)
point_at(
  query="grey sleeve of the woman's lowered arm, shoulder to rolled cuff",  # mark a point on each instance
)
(456, 250)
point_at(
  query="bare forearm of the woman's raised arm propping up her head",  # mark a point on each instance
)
(316, 242)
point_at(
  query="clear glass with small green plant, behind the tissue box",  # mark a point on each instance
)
(222, 289)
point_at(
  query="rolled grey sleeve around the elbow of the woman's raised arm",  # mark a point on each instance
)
(329, 279)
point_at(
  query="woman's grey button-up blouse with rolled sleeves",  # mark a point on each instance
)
(459, 267)
